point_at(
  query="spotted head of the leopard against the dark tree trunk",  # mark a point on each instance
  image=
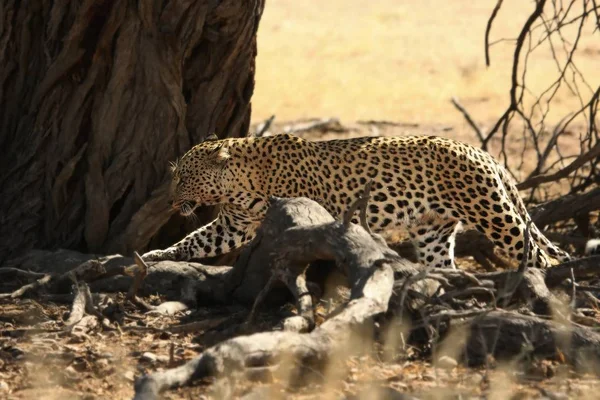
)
(199, 177)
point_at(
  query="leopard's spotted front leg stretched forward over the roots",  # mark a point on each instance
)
(233, 228)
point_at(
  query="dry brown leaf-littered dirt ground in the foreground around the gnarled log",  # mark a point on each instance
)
(103, 364)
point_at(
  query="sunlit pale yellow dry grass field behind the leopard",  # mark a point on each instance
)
(396, 60)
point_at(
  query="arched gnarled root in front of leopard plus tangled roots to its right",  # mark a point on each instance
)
(436, 299)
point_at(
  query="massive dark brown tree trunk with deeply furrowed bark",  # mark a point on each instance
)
(96, 97)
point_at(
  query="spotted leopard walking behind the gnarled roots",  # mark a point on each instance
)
(430, 186)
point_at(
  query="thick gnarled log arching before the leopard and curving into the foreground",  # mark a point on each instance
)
(302, 237)
